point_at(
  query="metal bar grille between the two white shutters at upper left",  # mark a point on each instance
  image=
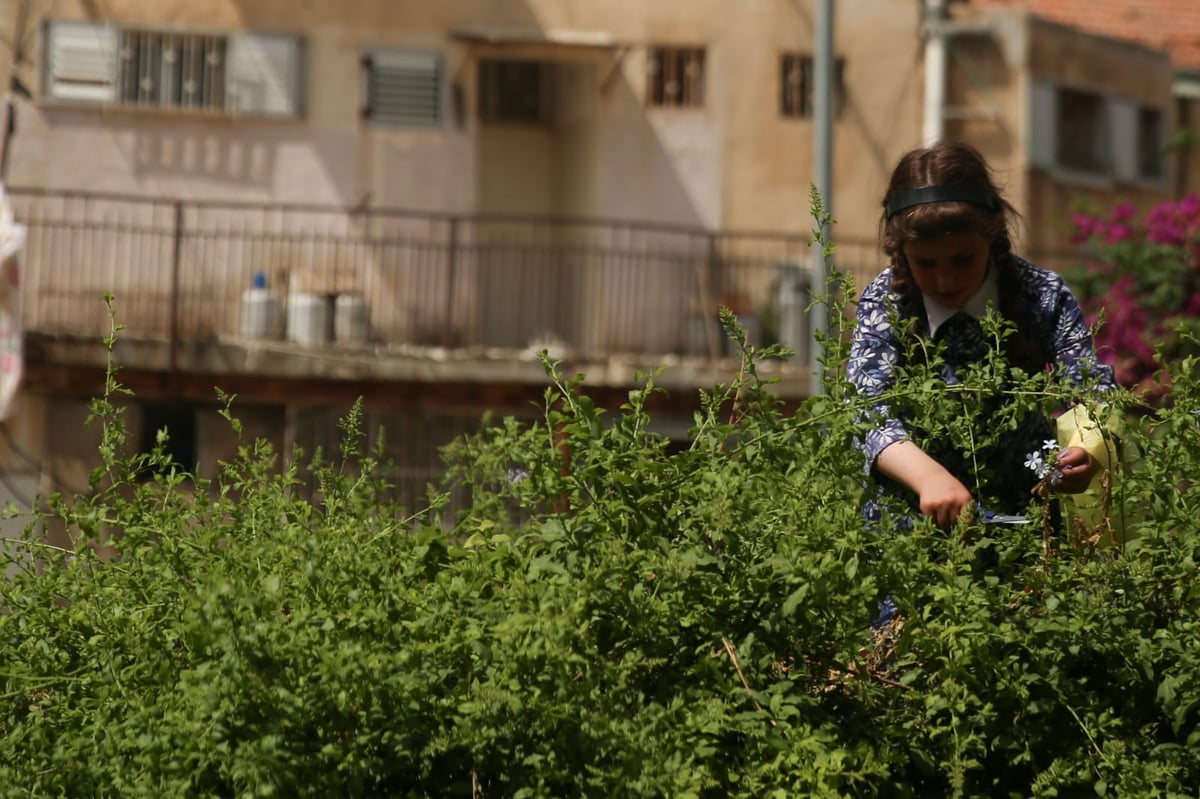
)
(163, 70)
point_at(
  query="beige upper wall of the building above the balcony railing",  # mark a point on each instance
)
(733, 164)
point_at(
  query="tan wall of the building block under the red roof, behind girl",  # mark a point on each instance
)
(998, 62)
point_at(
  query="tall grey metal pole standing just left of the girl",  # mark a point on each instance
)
(823, 170)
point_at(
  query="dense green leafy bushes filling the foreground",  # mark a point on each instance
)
(613, 616)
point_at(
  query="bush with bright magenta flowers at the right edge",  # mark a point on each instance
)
(1144, 280)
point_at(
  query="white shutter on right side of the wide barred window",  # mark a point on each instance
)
(265, 75)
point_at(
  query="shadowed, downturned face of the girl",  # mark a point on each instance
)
(950, 269)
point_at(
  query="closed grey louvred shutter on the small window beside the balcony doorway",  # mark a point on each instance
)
(405, 89)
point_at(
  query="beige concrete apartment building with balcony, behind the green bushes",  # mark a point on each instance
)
(305, 202)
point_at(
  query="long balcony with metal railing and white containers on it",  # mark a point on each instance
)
(369, 295)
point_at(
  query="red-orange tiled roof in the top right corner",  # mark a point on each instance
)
(1172, 26)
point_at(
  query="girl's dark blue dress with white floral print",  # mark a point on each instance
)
(1052, 332)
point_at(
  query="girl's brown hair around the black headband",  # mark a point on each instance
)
(945, 164)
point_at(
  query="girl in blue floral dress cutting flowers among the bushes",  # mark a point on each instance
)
(946, 230)
